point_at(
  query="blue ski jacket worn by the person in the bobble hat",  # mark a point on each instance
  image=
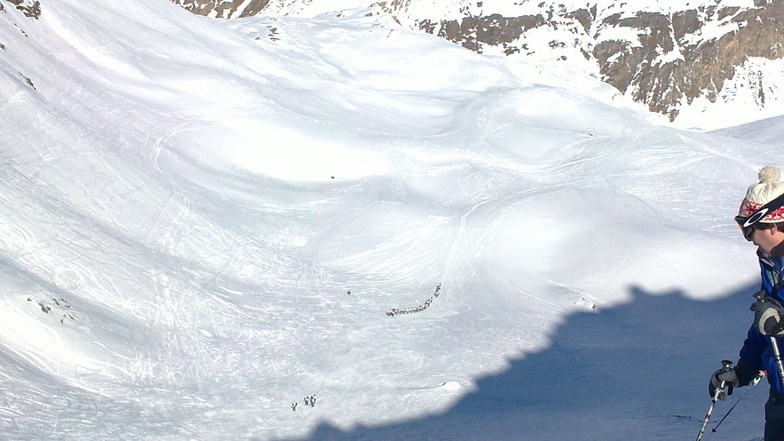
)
(757, 349)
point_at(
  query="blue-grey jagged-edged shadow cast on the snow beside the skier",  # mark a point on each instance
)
(636, 371)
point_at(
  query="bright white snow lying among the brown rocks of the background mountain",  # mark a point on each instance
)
(748, 96)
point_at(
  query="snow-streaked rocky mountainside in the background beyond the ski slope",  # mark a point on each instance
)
(690, 61)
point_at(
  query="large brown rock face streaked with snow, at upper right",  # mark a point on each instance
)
(701, 66)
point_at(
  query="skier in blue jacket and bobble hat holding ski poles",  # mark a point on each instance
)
(761, 219)
